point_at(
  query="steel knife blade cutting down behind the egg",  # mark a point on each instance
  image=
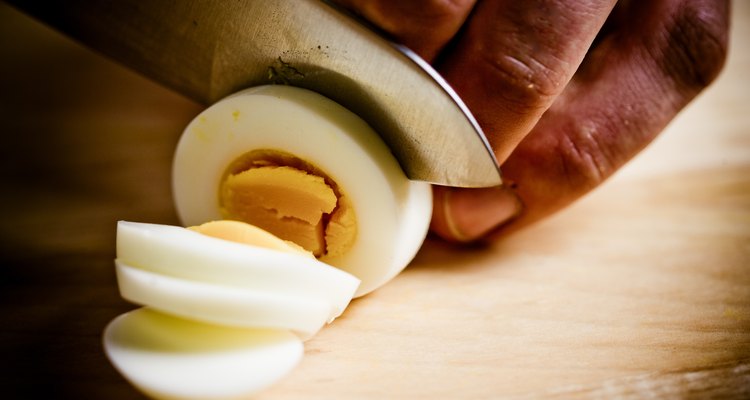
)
(207, 50)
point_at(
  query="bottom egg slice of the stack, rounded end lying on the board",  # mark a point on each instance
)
(173, 358)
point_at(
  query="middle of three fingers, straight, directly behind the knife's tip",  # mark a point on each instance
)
(514, 58)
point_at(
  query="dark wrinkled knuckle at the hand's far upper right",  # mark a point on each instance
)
(696, 46)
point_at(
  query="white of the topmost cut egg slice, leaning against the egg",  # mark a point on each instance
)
(178, 252)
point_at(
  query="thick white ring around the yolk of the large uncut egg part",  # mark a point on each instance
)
(393, 213)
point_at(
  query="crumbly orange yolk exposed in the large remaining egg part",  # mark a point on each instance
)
(290, 198)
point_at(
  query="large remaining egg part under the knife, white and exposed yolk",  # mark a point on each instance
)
(298, 164)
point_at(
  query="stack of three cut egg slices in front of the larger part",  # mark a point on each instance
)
(225, 314)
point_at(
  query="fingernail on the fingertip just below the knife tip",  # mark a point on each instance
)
(472, 213)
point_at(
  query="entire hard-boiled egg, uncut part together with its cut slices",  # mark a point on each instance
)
(336, 218)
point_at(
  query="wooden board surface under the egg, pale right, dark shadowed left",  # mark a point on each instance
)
(640, 290)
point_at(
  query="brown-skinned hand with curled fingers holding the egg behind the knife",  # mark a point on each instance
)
(566, 91)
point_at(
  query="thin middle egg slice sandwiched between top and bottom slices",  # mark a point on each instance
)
(222, 305)
